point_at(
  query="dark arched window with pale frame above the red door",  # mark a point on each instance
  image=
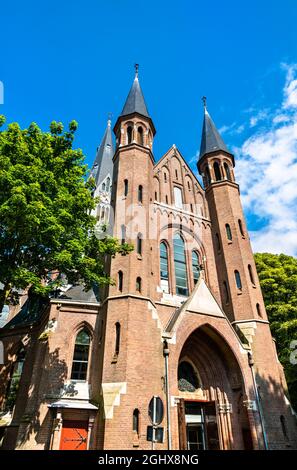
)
(81, 356)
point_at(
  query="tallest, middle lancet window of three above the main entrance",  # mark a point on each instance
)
(180, 265)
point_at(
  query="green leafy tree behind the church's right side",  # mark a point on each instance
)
(278, 279)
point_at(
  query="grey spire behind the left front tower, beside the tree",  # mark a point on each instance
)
(103, 164)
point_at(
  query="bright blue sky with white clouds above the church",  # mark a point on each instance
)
(74, 60)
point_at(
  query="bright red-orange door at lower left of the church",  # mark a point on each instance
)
(74, 435)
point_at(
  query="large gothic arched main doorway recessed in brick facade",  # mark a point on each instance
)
(211, 411)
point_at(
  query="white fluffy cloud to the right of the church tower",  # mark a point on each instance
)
(267, 173)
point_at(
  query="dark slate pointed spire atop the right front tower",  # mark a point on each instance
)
(211, 141)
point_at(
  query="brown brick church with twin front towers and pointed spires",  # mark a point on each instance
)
(184, 321)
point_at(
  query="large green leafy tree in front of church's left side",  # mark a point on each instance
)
(45, 204)
